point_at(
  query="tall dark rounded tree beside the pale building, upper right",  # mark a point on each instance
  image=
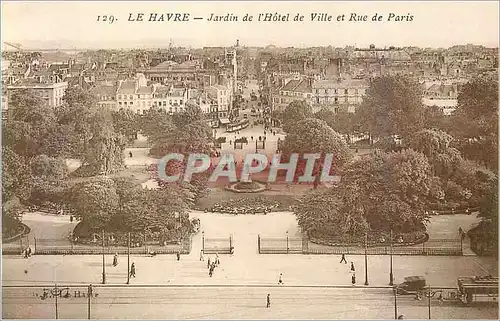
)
(392, 106)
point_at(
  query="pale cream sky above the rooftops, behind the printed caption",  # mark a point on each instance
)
(73, 24)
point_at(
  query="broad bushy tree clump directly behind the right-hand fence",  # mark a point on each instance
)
(382, 192)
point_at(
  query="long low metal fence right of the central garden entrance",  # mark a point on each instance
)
(301, 245)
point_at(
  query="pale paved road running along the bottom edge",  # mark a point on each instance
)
(233, 303)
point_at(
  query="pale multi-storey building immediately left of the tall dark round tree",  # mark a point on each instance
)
(338, 94)
